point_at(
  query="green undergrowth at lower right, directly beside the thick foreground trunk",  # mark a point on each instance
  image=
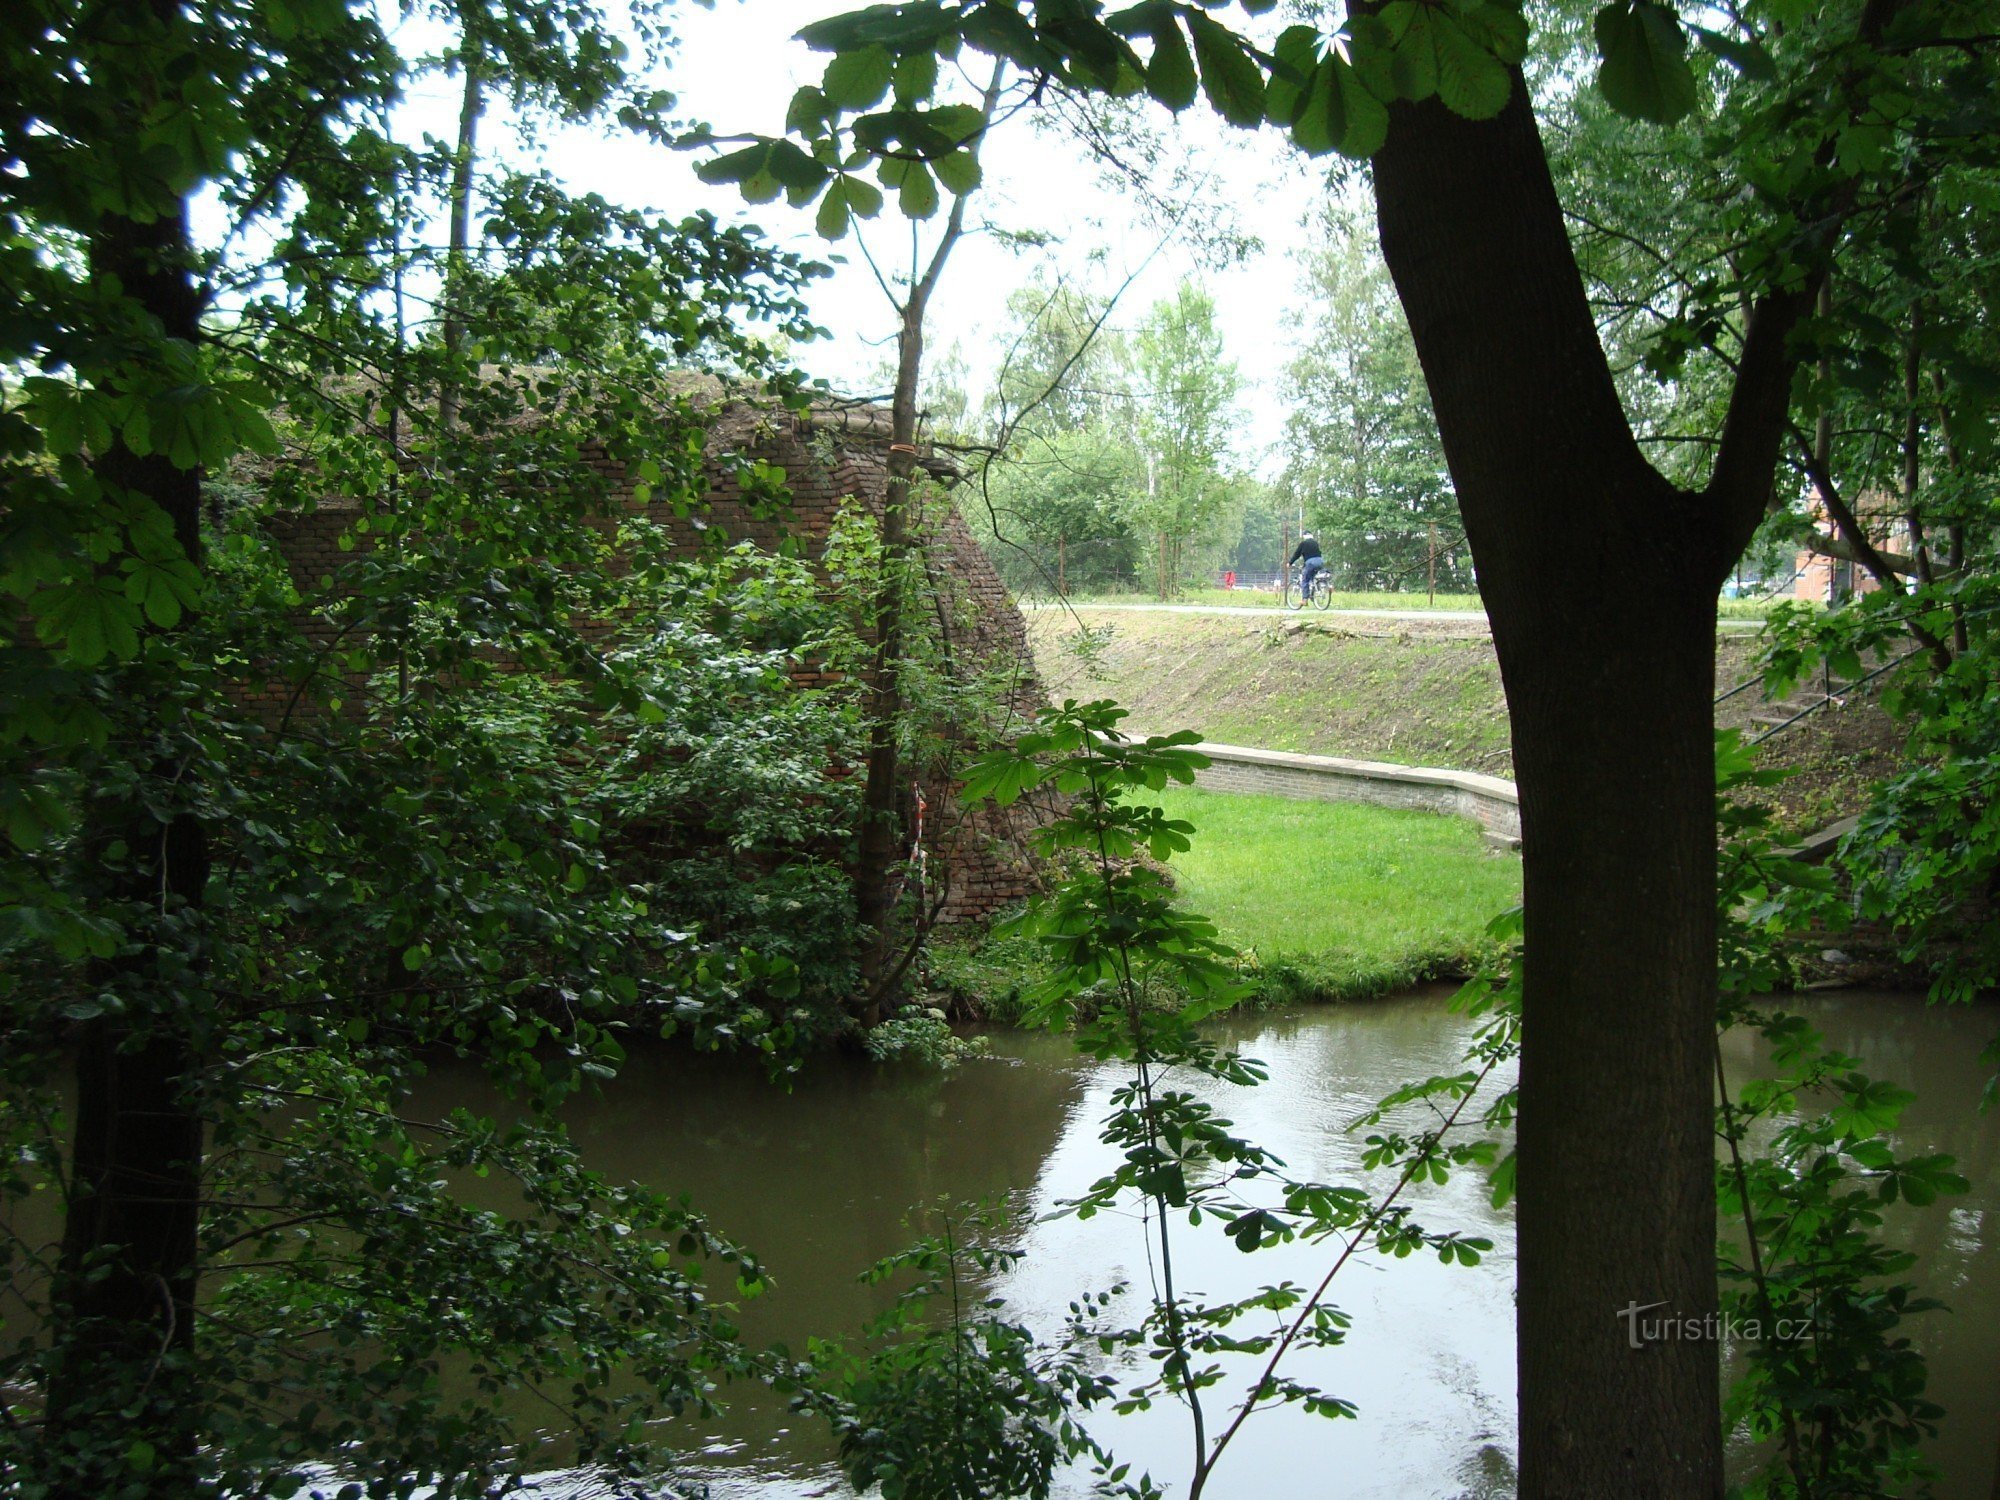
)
(1829, 1373)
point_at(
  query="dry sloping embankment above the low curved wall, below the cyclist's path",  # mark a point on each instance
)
(1411, 693)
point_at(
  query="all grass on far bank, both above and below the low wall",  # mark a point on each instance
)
(1341, 901)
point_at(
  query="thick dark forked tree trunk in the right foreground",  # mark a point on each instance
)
(1601, 581)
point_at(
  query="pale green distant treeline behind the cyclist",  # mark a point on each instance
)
(1113, 457)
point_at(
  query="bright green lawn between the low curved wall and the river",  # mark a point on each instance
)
(1329, 901)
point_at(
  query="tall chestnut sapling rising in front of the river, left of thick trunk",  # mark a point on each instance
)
(1135, 977)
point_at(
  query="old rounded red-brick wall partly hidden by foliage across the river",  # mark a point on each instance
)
(831, 457)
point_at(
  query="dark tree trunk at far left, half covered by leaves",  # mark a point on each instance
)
(125, 1293)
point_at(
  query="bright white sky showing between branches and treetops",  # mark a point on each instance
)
(737, 69)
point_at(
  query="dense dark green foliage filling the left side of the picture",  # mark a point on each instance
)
(275, 843)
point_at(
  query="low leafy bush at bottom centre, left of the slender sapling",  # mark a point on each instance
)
(949, 1399)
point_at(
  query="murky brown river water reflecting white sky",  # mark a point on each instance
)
(821, 1181)
